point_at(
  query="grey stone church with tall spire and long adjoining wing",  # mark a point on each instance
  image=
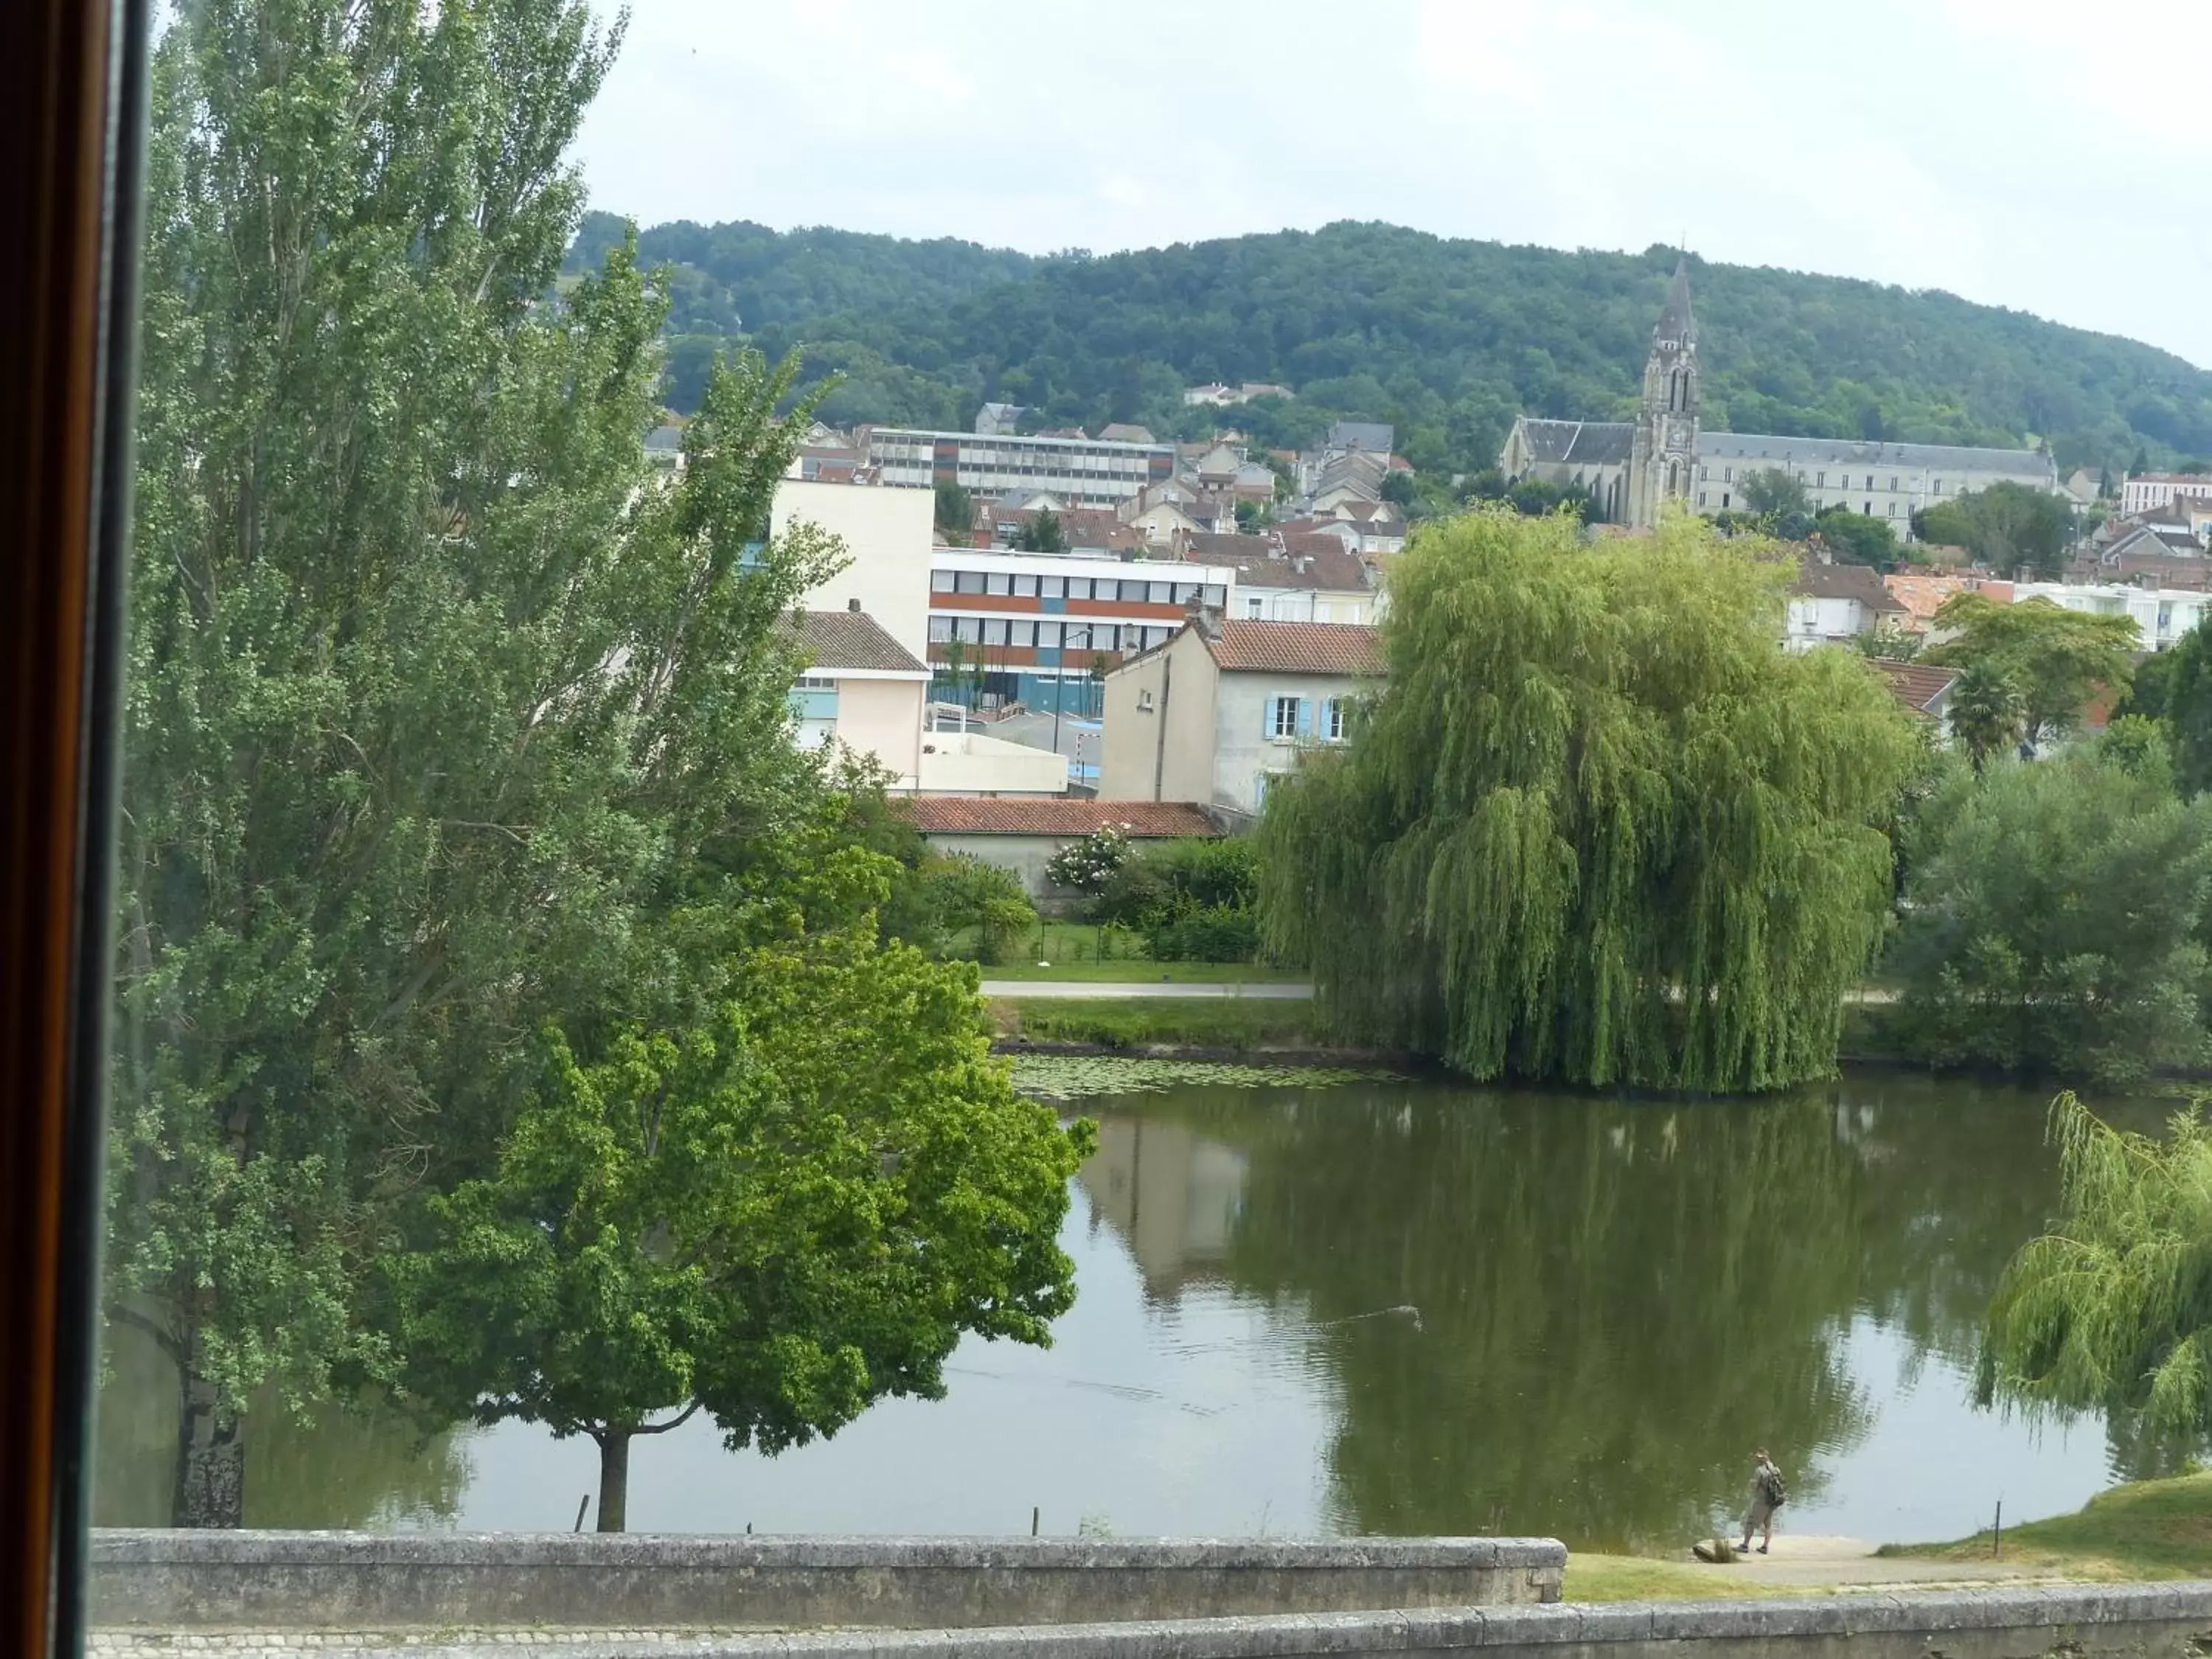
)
(1634, 468)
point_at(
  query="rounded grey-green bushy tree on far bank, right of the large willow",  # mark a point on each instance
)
(2056, 919)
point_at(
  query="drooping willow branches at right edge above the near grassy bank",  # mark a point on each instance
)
(2114, 1306)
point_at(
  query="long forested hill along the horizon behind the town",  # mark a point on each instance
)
(1446, 340)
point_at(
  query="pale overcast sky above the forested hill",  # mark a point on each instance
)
(2054, 158)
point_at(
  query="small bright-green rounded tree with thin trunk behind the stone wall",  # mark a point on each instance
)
(778, 1215)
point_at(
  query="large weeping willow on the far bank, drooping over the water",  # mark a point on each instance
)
(1596, 826)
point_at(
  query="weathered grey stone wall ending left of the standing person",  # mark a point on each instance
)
(160, 1580)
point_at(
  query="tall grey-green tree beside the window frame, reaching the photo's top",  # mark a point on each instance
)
(448, 718)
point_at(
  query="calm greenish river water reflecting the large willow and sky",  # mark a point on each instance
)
(1381, 1308)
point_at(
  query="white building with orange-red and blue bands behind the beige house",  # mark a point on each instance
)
(1045, 627)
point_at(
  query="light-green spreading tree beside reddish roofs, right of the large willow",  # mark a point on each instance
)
(2056, 658)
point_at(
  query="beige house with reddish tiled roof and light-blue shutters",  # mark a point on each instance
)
(1229, 705)
